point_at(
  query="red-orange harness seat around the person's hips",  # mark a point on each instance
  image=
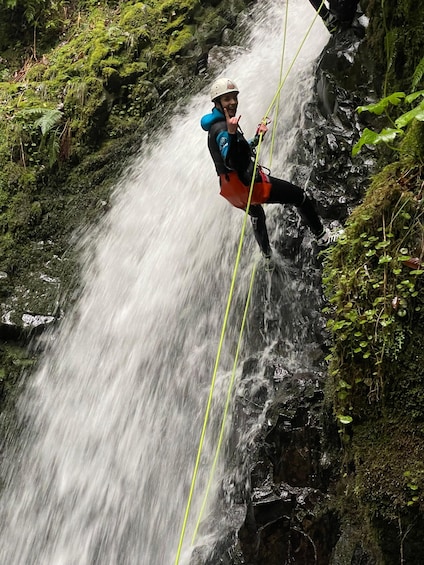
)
(237, 193)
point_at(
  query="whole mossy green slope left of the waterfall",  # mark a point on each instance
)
(82, 84)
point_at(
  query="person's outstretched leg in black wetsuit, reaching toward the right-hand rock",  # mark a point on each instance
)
(283, 192)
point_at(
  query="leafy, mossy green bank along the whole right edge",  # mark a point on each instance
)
(373, 279)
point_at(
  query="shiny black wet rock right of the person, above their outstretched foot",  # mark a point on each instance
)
(332, 126)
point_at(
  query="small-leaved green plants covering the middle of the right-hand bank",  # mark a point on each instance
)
(372, 281)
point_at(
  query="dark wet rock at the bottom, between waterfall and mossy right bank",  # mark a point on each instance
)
(281, 515)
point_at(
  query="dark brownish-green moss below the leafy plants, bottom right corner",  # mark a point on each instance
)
(380, 497)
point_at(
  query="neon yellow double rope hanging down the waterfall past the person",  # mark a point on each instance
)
(223, 330)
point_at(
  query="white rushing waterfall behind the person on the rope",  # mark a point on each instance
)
(114, 413)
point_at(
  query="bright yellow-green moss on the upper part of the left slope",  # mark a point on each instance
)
(95, 68)
